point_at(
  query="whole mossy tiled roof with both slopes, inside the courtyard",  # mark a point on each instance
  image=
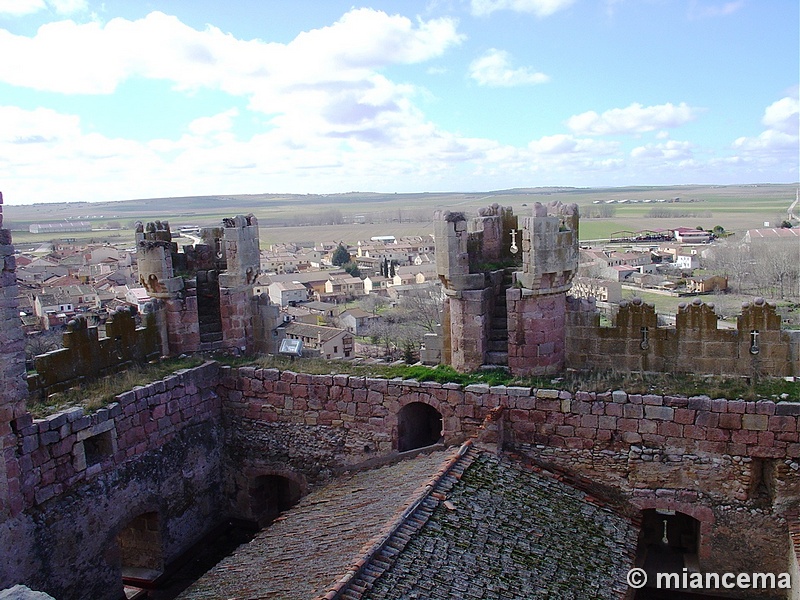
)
(456, 526)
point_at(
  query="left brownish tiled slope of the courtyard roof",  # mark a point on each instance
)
(308, 549)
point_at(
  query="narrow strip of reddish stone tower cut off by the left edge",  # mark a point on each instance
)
(12, 376)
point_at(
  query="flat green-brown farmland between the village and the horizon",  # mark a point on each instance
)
(353, 216)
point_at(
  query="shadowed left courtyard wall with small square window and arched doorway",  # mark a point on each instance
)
(157, 449)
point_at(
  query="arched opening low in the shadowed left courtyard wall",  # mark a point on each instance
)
(140, 550)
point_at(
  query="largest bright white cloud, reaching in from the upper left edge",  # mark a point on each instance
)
(321, 92)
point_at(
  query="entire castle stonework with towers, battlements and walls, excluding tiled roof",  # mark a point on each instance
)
(83, 497)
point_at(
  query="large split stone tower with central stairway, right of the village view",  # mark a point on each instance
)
(506, 286)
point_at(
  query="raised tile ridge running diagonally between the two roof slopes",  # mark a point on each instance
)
(390, 543)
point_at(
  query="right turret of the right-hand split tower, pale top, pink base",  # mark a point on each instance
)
(537, 305)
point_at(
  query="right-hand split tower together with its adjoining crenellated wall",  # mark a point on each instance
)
(507, 278)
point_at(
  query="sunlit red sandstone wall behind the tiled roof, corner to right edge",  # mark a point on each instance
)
(731, 464)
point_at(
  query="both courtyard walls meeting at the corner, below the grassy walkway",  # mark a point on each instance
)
(188, 448)
